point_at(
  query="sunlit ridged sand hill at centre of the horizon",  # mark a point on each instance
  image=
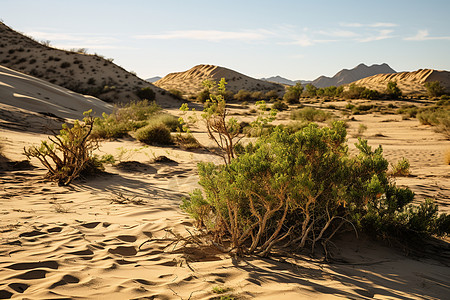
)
(190, 82)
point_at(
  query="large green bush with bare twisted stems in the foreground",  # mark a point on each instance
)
(300, 189)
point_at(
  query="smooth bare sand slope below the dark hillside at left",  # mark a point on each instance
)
(29, 103)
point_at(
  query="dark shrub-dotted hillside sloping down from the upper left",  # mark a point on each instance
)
(77, 71)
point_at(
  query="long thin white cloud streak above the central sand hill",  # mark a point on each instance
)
(209, 35)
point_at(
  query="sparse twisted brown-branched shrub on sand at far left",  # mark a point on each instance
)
(69, 153)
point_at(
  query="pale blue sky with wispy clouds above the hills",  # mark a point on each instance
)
(293, 39)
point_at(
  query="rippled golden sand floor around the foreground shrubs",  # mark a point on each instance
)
(112, 237)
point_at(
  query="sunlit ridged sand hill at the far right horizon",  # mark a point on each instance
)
(408, 82)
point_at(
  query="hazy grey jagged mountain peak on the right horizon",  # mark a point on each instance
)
(347, 76)
